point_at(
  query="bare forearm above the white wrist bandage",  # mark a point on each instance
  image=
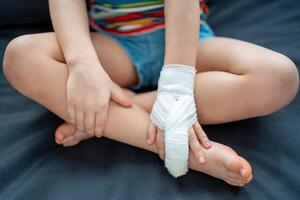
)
(182, 29)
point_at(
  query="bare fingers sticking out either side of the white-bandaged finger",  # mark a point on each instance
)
(197, 137)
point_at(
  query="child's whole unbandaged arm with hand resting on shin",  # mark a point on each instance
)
(89, 88)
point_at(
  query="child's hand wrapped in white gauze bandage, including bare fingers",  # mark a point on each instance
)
(175, 111)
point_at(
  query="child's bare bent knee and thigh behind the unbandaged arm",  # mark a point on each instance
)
(30, 62)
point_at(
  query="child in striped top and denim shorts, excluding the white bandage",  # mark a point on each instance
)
(77, 75)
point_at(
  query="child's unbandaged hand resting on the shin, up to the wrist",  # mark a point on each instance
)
(89, 90)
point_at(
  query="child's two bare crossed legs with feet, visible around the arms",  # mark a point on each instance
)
(229, 86)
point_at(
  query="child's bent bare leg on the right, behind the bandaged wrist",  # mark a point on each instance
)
(237, 80)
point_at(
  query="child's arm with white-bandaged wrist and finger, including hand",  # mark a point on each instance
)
(178, 117)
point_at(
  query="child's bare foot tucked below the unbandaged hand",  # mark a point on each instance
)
(67, 135)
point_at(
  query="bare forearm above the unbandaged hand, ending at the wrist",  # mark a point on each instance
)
(70, 22)
